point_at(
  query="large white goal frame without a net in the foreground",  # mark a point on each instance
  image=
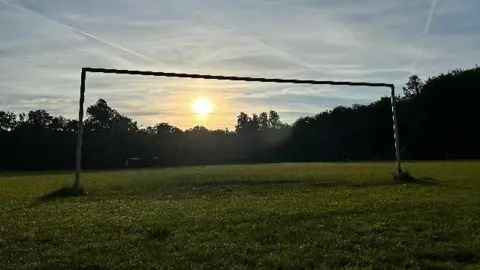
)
(83, 78)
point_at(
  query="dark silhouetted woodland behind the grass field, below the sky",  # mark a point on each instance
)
(438, 119)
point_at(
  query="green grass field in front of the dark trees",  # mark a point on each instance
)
(350, 215)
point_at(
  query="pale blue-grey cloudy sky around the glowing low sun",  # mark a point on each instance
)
(44, 44)
